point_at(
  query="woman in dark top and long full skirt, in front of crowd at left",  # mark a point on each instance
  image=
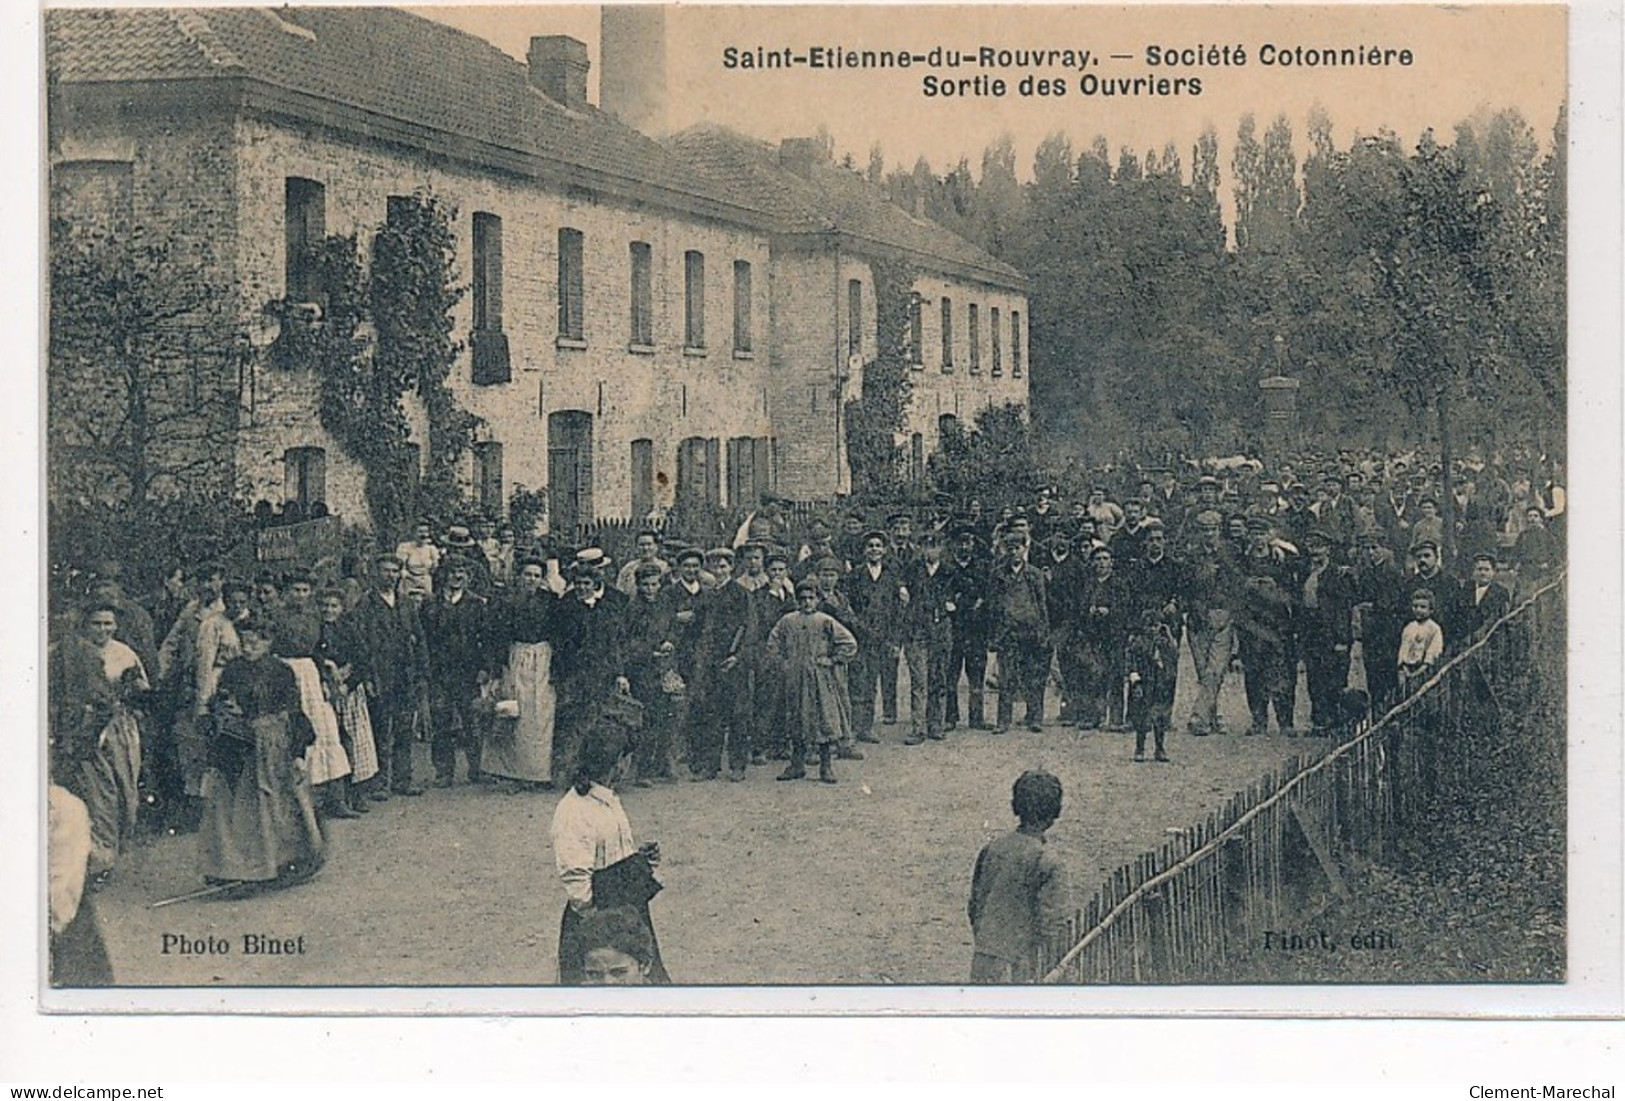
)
(259, 818)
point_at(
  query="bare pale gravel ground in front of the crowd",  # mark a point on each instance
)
(766, 883)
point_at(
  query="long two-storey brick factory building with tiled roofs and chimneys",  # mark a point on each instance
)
(648, 319)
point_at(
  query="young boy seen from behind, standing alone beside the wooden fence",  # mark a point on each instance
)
(1018, 891)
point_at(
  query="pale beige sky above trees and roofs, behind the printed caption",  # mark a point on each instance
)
(1467, 59)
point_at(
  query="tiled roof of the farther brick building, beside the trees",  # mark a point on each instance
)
(830, 199)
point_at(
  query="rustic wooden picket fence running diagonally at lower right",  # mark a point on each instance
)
(1275, 853)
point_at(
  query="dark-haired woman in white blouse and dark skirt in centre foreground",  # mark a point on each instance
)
(591, 834)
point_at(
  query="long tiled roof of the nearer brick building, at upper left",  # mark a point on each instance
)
(379, 61)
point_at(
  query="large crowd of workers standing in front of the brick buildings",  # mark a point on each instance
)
(256, 710)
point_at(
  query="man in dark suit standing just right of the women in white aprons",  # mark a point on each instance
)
(397, 665)
